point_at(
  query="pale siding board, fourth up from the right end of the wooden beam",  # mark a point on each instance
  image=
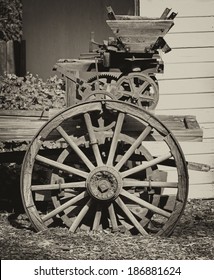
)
(187, 70)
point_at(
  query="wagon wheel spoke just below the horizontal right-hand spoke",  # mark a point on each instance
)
(145, 204)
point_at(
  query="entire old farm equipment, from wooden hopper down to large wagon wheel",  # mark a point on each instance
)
(100, 169)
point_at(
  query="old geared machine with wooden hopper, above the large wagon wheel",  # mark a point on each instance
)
(124, 65)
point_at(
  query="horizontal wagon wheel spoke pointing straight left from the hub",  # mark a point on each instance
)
(72, 185)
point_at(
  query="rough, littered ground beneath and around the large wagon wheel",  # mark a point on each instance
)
(193, 239)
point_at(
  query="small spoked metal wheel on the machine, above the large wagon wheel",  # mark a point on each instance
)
(140, 89)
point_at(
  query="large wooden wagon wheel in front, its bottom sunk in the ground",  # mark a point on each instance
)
(105, 175)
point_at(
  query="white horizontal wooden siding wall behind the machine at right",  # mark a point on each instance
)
(187, 85)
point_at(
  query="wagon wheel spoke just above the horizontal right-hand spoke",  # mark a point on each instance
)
(145, 165)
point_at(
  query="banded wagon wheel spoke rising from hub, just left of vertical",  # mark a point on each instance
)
(93, 140)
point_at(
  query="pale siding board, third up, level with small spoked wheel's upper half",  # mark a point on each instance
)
(185, 86)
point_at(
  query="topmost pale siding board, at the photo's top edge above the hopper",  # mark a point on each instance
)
(154, 8)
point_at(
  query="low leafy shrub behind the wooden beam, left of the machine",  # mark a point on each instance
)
(31, 93)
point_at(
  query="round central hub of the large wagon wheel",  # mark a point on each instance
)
(104, 183)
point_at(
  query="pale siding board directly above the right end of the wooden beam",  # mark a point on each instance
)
(204, 115)
